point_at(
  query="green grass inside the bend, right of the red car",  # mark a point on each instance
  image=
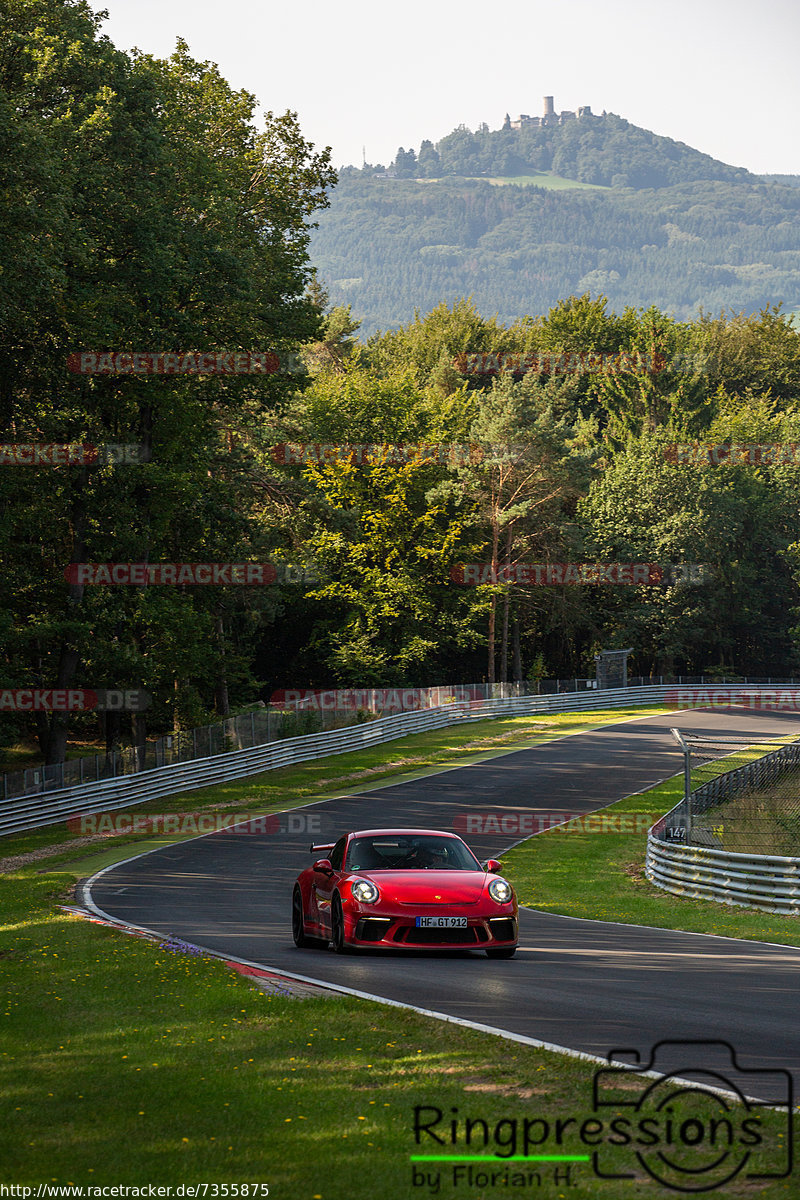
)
(600, 877)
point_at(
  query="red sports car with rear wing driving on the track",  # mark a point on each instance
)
(404, 889)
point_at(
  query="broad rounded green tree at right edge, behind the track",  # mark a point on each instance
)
(735, 520)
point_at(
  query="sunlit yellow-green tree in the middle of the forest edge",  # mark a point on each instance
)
(382, 535)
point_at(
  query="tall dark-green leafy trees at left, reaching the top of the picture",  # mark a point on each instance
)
(171, 223)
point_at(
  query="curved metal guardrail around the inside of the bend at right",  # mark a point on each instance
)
(771, 883)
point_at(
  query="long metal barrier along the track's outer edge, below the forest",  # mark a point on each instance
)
(34, 812)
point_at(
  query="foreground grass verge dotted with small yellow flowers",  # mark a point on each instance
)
(124, 1064)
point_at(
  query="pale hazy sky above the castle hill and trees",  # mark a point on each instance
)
(719, 75)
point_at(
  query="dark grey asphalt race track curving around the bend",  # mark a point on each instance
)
(585, 986)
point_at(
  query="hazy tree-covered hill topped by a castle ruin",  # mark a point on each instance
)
(677, 229)
